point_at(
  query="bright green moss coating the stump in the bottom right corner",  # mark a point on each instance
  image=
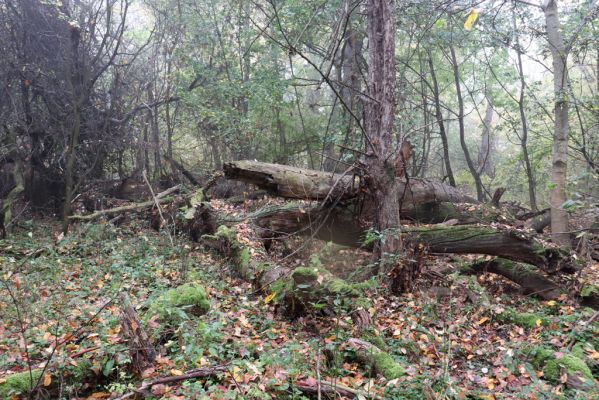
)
(551, 365)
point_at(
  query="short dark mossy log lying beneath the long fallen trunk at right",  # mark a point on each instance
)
(531, 281)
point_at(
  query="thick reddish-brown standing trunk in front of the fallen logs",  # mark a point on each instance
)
(379, 123)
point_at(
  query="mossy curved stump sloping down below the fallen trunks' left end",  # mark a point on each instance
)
(224, 240)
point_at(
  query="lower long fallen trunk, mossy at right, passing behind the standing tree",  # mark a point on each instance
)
(339, 225)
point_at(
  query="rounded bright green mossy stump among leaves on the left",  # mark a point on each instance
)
(179, 304)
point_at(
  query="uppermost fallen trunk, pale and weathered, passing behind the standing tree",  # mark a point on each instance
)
(298, 183)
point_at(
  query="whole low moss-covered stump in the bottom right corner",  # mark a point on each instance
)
(555, 365)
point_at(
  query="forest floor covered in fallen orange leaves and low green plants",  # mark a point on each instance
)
(60, 319)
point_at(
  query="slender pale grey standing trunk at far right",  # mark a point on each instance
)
(559, 216)
